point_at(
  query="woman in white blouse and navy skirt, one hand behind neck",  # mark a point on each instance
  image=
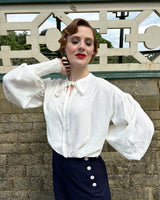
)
(78, 112)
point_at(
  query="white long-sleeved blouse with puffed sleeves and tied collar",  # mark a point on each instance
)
(78, 124)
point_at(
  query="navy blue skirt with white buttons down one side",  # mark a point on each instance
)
(80, 178)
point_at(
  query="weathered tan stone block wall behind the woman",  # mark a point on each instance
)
(25, 156)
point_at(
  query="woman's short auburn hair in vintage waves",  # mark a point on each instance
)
(71, 29)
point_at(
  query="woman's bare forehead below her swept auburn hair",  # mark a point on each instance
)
(83, 31)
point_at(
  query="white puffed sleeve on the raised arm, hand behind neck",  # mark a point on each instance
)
(24, 86)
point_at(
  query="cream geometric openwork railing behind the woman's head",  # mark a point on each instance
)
(150, 37)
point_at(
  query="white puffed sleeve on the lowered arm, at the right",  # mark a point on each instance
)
(132, 130)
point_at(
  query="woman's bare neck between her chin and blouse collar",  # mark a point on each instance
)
(78, 73)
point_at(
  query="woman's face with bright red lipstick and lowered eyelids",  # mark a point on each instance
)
(80, 47)
